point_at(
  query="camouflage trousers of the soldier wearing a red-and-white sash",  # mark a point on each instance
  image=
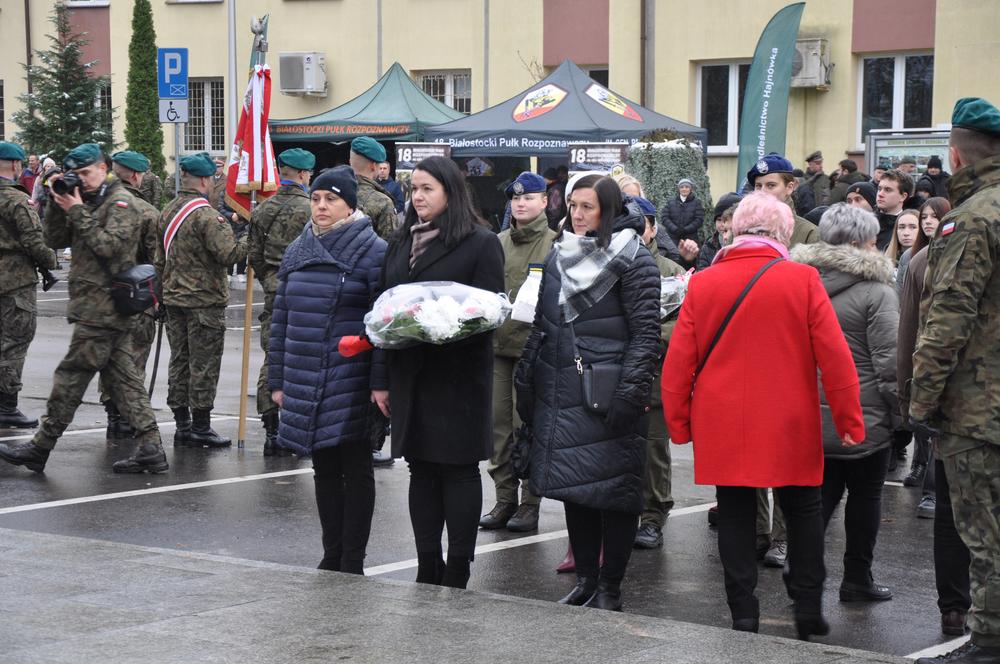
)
(197, 336)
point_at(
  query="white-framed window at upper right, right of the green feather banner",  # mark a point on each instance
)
(896, 92)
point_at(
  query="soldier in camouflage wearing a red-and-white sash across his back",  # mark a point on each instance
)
(195, 248)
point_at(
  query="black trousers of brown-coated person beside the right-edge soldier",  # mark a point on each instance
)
(951, 556)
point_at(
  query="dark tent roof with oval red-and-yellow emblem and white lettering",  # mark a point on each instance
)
(566, 106)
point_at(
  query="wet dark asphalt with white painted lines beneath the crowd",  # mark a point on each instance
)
(237, 503)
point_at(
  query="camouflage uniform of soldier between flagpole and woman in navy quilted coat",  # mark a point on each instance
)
(275, 223)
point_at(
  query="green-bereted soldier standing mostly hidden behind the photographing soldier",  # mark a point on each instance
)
(131, 167)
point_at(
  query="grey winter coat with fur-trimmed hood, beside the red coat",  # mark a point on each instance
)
(861, 287)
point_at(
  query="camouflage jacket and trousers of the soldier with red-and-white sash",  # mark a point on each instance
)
(196, 292)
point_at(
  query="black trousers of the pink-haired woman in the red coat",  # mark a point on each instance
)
(802, 506)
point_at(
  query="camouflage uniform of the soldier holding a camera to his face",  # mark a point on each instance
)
(103, 235)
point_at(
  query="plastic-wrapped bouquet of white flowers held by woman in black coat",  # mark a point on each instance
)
(436, 312)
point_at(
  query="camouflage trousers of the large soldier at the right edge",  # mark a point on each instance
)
(974, 485)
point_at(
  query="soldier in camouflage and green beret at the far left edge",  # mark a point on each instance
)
(21, 250)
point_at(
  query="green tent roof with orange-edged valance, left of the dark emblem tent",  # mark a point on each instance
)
(392, 109)
